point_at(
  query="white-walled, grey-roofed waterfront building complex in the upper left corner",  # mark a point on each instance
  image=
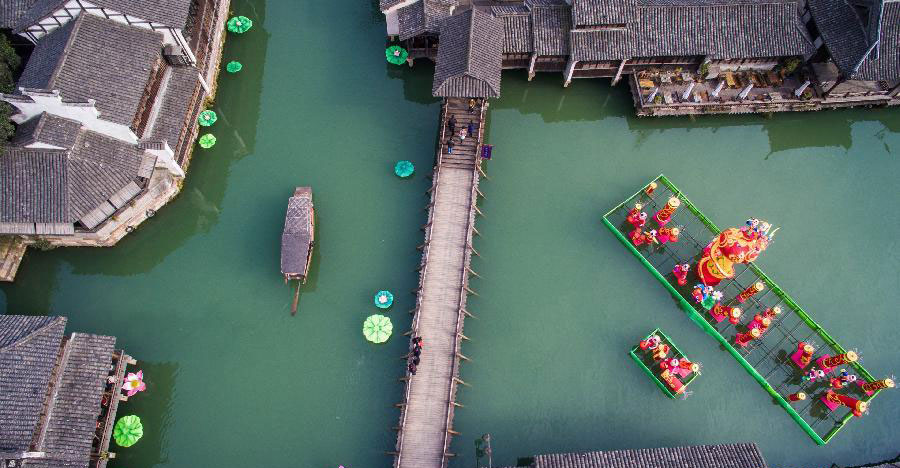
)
(106, 108)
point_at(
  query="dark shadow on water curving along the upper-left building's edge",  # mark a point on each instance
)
(199, 201)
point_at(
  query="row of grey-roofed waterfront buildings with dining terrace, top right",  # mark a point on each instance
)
(684, 56)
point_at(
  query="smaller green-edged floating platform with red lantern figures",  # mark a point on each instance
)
(665, 364)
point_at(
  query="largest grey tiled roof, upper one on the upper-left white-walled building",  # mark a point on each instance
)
(67, 60)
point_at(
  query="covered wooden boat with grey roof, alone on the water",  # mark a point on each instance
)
(298, 239)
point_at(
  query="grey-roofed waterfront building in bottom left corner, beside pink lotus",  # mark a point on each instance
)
(58, 395)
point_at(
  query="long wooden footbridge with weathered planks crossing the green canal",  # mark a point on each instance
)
(426, 417)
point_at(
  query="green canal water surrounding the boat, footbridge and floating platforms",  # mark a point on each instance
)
(234, 381)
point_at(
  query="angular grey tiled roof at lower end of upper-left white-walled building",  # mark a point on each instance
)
(56, 186)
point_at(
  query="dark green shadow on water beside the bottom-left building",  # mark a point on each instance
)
(154, 407)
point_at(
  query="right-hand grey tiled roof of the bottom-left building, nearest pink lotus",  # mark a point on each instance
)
(76, 403)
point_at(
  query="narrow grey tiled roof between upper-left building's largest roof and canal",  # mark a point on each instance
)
(176, 106)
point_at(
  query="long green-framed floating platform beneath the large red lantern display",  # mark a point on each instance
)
(766, 359)
